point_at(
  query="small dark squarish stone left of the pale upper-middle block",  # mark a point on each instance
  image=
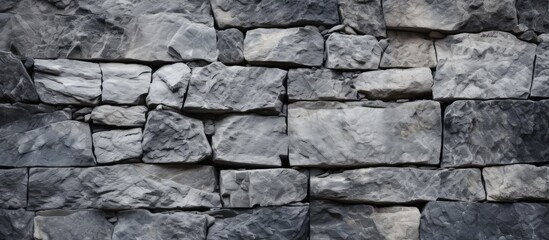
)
(230, 44)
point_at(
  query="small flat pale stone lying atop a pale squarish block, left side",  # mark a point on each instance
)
(119, 116)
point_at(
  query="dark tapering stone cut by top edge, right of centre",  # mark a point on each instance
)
(363, 16)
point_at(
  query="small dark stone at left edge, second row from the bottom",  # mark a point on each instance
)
(13, 189)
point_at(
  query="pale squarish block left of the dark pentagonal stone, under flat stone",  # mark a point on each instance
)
(117, 145)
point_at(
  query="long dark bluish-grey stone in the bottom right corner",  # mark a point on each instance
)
(460, 220)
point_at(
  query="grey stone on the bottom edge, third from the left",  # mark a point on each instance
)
(141, 224)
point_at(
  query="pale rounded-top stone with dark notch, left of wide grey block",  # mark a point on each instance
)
(169, 85)
